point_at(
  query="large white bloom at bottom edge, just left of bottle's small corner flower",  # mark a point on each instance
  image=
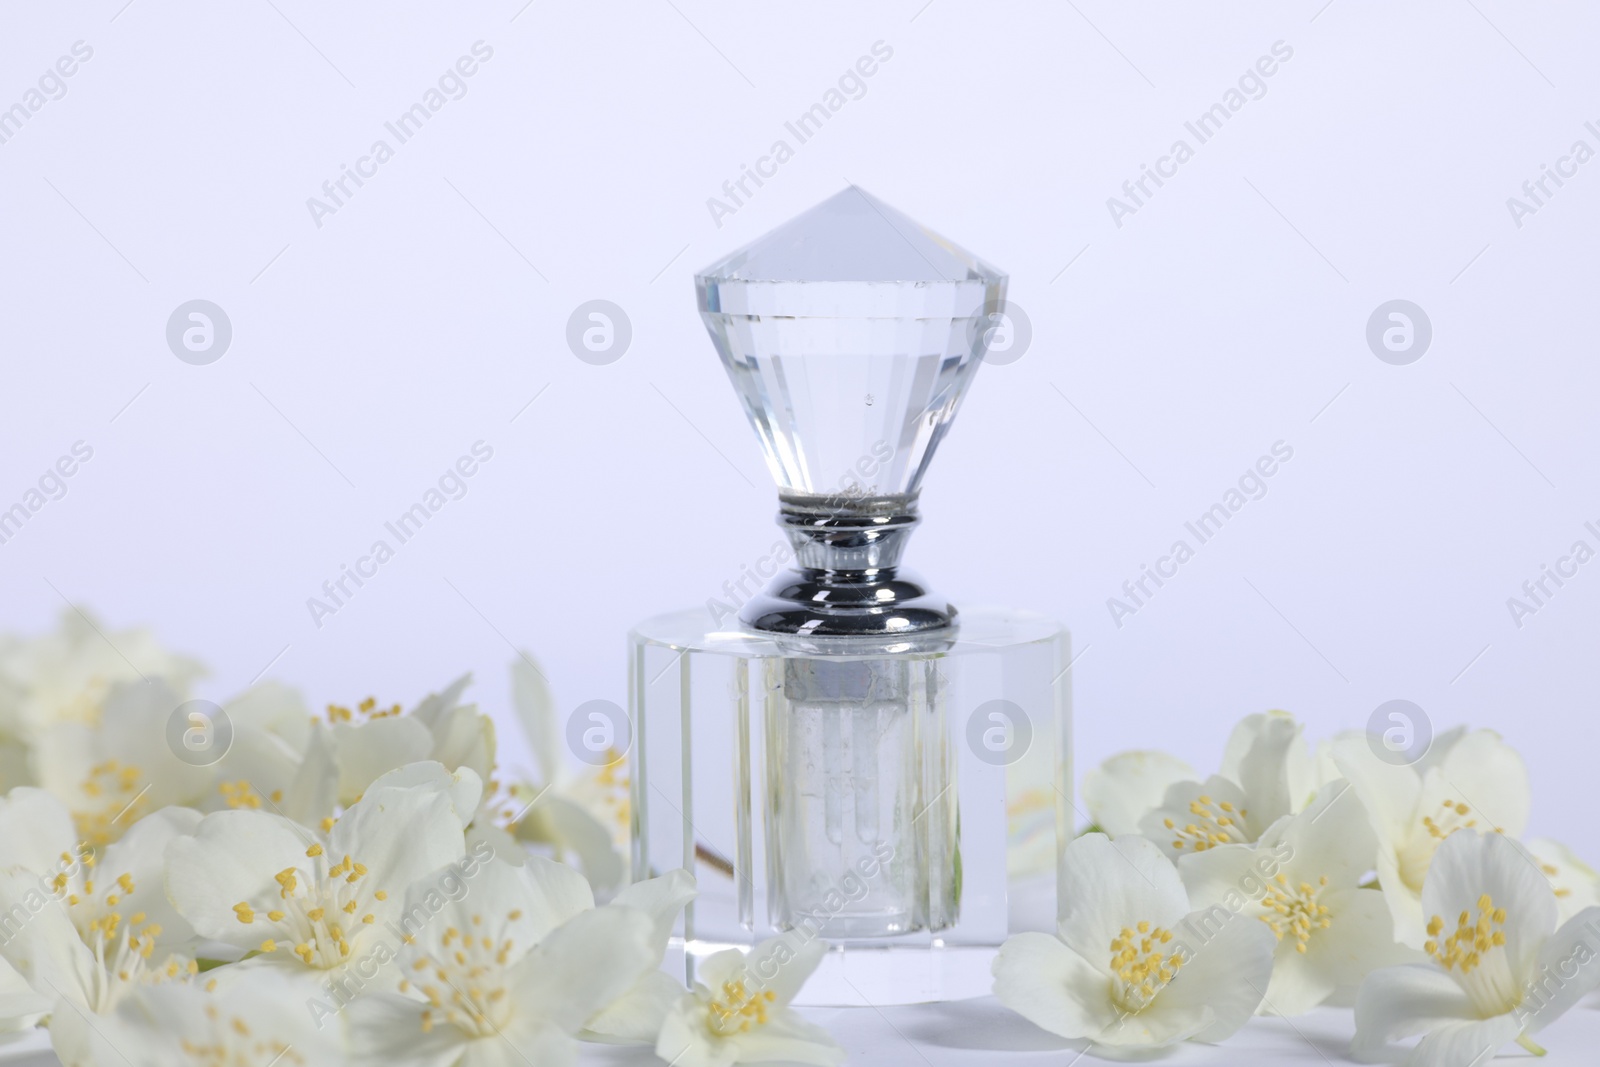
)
(506, 975)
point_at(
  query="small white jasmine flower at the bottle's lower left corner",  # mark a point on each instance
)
(738, 1012)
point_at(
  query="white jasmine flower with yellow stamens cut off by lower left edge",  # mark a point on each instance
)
(84, 929)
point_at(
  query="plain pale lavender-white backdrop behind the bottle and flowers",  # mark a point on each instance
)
(1226, 314)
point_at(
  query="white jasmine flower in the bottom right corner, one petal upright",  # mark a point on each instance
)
(1502, 970)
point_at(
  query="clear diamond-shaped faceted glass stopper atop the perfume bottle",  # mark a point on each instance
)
(850, 335)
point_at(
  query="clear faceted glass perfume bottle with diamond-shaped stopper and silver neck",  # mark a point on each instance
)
(852, 757)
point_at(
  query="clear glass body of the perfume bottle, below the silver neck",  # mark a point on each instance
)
(898, 805)
